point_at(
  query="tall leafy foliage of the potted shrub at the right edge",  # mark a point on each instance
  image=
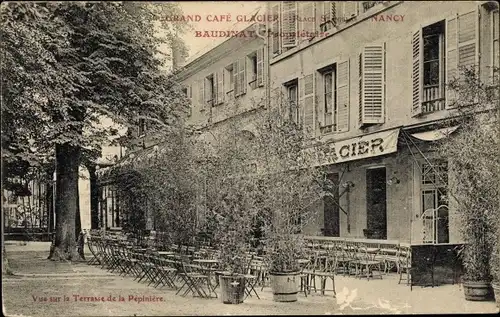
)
(474, 155)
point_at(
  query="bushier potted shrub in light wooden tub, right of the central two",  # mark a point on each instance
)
(289, 186)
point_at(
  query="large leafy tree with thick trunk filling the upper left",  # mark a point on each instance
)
(68, 65)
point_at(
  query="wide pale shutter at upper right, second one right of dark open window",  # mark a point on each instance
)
(468, 56)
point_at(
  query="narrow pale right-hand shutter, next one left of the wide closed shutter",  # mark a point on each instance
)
(343, 96)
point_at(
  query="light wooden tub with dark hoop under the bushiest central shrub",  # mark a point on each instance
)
(285, 286)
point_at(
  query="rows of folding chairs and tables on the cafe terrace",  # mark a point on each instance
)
(194, 270)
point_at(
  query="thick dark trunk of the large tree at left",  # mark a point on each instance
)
(67, 164)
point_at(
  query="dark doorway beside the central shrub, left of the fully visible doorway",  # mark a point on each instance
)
(331, 208)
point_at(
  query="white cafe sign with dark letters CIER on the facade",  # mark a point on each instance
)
(366, 146)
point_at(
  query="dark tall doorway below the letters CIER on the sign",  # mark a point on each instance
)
(376, 204)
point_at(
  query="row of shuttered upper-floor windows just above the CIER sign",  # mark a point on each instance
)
(439, 50)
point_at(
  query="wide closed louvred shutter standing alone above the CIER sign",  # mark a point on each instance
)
(372, 101)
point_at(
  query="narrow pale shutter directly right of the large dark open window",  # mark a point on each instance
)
(451, 58)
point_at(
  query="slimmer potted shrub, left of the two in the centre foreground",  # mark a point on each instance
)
(229, 204)
